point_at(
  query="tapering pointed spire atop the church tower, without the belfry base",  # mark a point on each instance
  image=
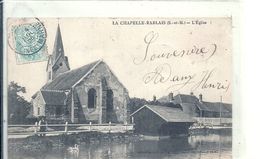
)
(58, 50)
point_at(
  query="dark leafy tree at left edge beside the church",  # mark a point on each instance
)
(18, 107)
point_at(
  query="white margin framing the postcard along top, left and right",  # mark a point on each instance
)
(142, 9)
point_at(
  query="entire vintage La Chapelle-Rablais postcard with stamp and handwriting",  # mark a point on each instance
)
(119, 88)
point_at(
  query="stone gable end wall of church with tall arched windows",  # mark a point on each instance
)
(120, 95)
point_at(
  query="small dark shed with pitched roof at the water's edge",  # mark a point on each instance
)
(155, 120)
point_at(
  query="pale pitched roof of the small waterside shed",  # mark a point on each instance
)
(168, 114)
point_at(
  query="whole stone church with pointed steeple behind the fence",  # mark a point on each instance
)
(91, 93)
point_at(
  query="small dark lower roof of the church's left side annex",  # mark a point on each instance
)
(54, 97)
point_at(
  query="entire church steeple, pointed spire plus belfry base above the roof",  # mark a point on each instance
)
(58, 63)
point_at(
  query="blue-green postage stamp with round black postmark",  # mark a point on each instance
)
(29, 42)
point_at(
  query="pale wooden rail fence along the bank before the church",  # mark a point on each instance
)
(56, 129)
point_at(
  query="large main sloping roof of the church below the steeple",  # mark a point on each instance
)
(66, 80)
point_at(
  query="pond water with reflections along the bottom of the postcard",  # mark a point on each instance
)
(207, 146)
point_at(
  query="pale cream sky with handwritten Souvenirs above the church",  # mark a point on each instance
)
(150, 56)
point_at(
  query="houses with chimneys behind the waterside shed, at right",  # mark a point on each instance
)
(196, 107)
